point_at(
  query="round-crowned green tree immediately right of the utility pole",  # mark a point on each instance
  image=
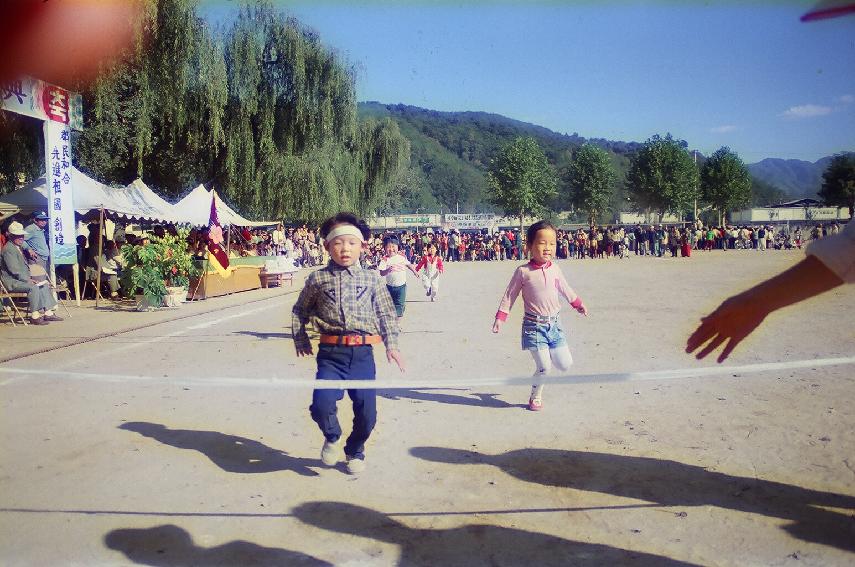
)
(725, 182)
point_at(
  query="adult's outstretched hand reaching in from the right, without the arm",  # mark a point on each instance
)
(732, 321)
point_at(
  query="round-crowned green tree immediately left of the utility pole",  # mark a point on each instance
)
(662, 176)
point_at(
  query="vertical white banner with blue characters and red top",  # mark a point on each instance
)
(61, 230)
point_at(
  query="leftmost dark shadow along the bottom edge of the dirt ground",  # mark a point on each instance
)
(171, 546)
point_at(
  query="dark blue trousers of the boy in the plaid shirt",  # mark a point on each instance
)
(345, 363)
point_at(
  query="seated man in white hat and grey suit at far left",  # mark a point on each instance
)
(15, 275)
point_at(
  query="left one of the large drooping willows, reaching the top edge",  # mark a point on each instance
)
(158, 112)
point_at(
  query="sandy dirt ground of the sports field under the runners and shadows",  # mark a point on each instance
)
(127, 450)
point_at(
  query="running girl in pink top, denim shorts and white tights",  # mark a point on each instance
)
(542, 285)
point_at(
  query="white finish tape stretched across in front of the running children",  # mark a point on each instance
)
(412, 384)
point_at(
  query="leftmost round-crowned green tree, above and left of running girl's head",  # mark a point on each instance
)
(521, 179)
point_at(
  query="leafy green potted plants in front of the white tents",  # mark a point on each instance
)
(157, 264)
